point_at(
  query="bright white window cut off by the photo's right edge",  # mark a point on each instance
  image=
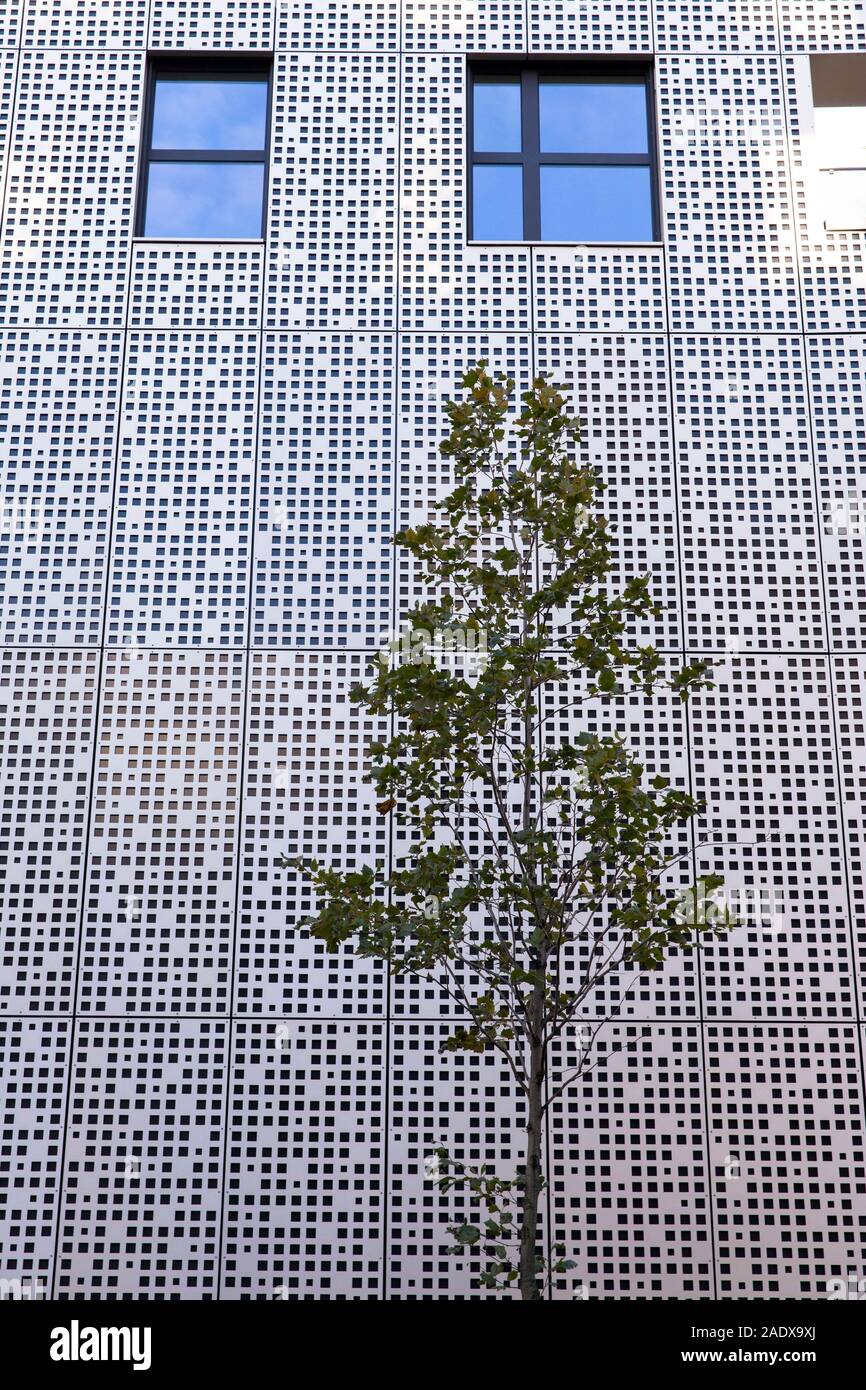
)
(839, 97)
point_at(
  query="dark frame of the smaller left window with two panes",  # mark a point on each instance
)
(204, 67)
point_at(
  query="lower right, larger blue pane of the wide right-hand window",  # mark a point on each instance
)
(596, 204)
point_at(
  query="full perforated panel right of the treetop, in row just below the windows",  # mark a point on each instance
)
(749, 511)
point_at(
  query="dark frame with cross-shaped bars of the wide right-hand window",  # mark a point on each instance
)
(530, 158)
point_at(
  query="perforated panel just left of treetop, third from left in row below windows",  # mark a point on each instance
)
(326, 491)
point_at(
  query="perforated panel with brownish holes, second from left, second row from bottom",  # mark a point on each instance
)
(161, 893)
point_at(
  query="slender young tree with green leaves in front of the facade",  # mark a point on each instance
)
(575, 844)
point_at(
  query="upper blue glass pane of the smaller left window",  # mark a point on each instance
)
(209, 116)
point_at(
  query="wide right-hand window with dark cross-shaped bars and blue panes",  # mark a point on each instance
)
(561, 154)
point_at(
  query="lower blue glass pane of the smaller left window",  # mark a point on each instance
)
(205, 199)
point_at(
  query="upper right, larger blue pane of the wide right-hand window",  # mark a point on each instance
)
(593, 117)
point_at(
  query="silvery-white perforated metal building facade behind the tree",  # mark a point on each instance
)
(208, 444)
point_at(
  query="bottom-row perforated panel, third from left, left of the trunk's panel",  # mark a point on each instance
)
(305, 1184)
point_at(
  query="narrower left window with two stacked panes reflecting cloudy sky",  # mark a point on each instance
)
(206, 154)
